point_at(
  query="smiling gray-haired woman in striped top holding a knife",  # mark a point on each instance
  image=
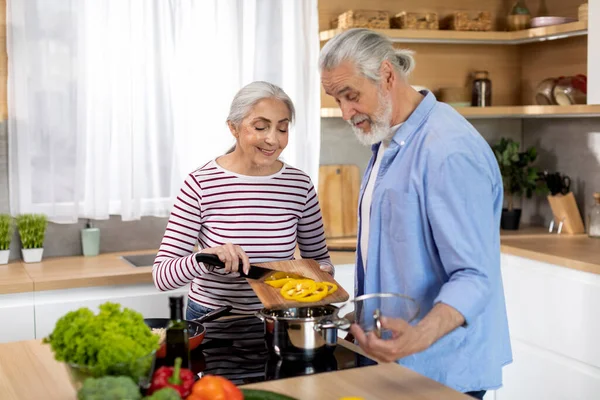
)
(244, 206)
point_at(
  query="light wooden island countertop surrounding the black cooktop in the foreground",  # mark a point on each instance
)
(28, 371)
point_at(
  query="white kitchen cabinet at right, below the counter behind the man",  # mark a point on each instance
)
(554, 328)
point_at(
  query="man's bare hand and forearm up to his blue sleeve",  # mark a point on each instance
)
(408, 339)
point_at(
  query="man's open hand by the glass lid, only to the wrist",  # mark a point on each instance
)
(406, 340)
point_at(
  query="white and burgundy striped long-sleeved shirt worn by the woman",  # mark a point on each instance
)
(267, 216)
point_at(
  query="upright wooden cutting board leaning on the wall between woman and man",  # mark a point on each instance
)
(339, 187)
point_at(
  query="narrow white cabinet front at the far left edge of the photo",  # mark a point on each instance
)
(17, 315)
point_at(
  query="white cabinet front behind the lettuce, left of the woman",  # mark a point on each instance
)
(144, 298)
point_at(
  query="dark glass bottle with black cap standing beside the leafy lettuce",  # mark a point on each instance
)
(177, 339)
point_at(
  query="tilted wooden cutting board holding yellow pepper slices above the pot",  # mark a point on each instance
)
(271, 298)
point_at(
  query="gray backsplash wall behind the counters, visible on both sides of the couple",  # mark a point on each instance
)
(571, 146)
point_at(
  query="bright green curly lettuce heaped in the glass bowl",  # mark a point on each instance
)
(113, 342)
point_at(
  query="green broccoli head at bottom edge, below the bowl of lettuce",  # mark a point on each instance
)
(109, 388)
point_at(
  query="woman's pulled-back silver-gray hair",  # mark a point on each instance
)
(248, 96)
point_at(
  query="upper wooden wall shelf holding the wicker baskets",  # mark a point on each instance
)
(458, 37)
